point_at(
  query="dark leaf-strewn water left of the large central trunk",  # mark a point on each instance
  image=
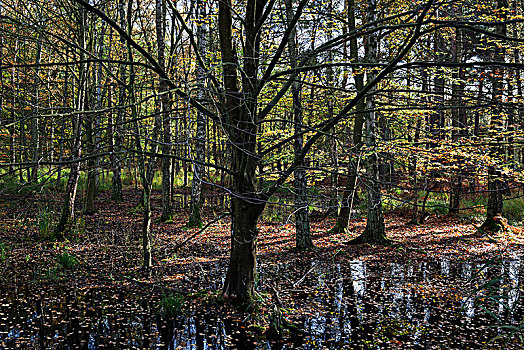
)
(102, 318)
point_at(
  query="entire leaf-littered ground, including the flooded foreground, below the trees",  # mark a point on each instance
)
(442, 286)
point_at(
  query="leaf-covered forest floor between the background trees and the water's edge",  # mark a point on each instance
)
(105, 250)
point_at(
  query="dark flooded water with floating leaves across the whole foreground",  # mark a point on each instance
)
(358, 305)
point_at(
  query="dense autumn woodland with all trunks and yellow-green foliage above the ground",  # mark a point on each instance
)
(329, 108)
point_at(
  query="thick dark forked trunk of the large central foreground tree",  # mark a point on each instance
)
(239, 111)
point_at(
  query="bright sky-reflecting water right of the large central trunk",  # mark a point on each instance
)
(419, 306)
